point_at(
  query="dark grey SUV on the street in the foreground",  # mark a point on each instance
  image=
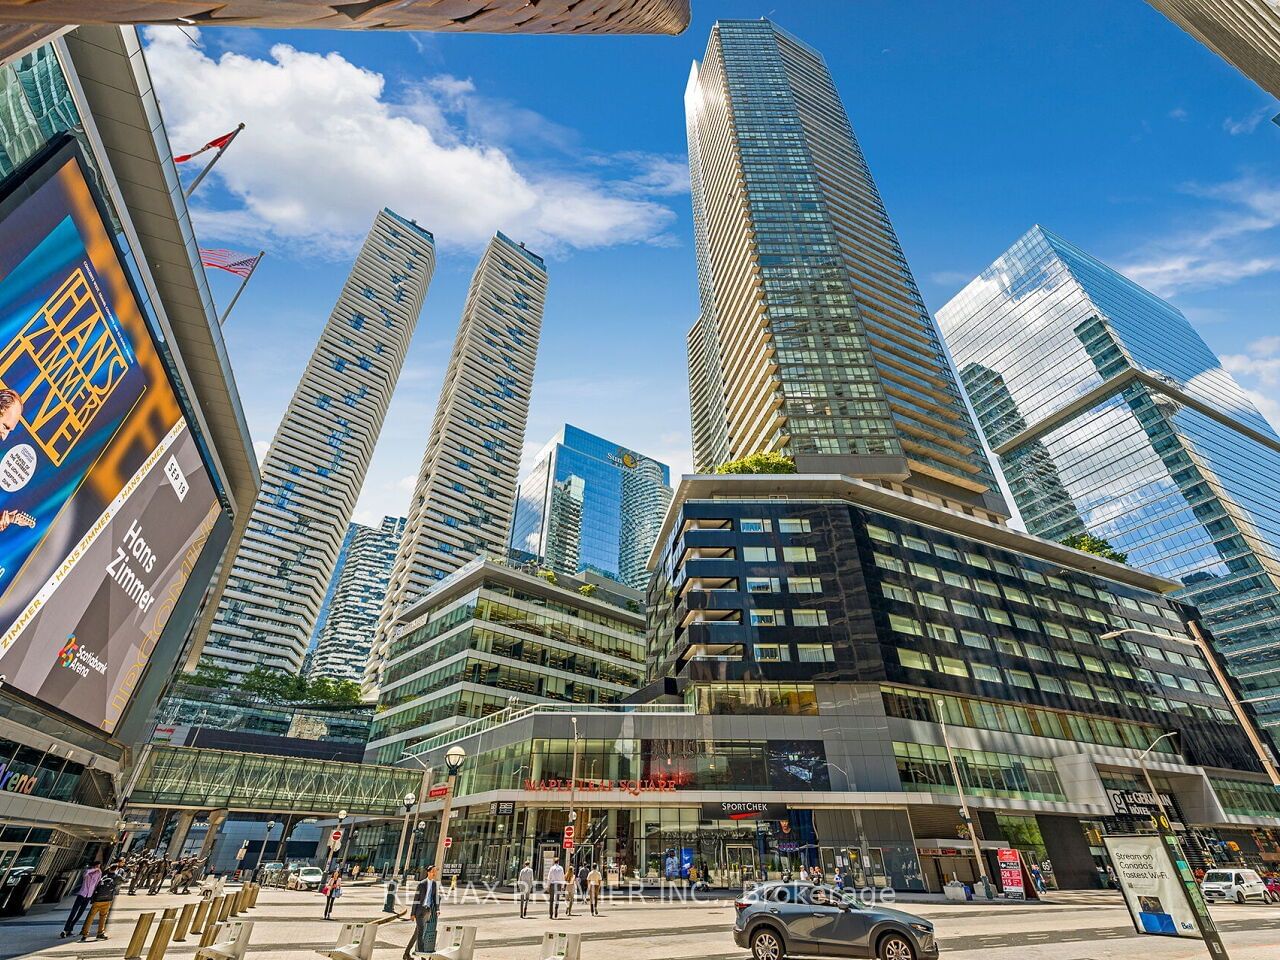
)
(780, 920)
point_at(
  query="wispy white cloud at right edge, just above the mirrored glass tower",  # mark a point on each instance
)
(1236, 239)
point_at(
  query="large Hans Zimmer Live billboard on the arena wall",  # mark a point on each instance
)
(106, 501)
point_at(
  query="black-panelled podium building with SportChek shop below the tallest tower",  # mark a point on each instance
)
(815, 646)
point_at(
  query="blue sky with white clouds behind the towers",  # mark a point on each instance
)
(1099, 120)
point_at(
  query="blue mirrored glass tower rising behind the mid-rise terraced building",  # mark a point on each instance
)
(592, 505)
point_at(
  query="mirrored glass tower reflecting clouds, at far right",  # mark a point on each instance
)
(1112, 417)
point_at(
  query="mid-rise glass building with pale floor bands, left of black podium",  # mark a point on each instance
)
(493, 636)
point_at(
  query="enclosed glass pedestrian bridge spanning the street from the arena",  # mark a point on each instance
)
(198, 779)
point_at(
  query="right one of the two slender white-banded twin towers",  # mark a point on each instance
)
(467, 488)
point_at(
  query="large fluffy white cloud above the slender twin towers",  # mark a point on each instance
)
(326, 145)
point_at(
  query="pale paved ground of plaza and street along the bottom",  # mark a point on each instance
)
(289, 926)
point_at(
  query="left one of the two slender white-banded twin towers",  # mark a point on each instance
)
(313, 474)
